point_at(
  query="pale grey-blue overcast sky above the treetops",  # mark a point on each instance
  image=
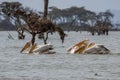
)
(94, 5)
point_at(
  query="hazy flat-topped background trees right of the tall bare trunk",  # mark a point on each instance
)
(79, 18)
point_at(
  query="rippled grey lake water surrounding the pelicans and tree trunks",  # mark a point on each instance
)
(62, 65)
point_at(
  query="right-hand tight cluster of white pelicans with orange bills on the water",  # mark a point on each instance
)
(87, 47)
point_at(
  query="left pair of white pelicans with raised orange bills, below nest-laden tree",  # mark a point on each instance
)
(29, 48)
